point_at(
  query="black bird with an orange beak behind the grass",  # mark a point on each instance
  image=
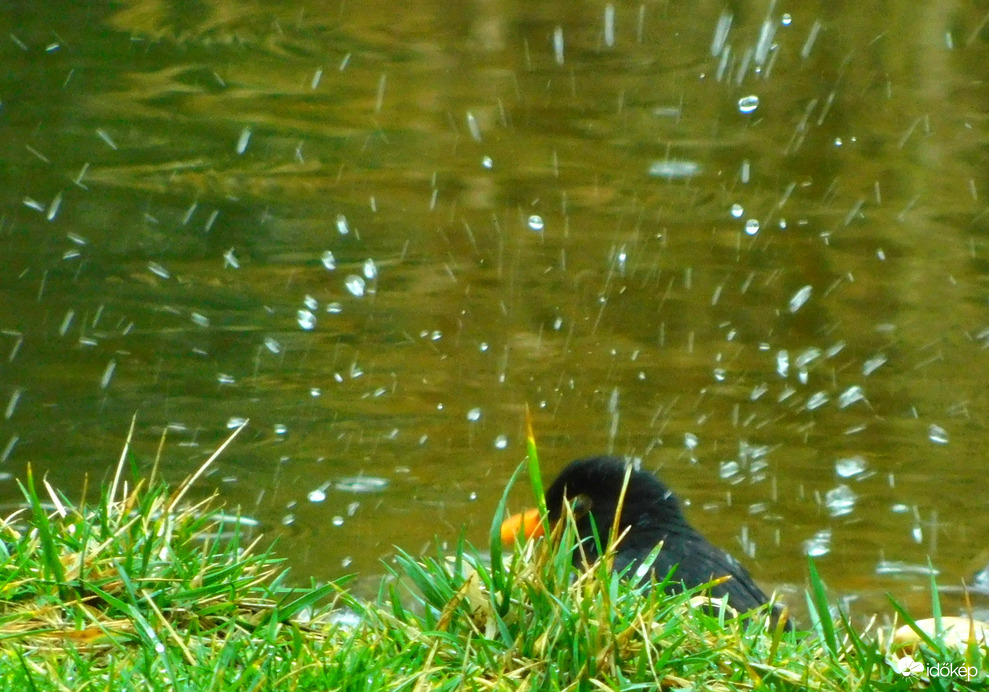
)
(650, 514)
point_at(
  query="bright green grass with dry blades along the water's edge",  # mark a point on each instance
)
(141, 590)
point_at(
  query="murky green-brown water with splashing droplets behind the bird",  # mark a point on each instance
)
(784, 311)
